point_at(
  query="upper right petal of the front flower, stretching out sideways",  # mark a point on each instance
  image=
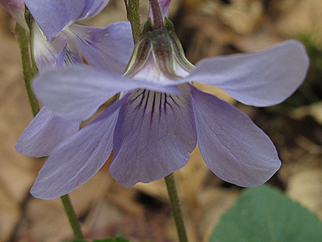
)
(260, 79)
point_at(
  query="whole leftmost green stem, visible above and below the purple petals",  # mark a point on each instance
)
(29, 72)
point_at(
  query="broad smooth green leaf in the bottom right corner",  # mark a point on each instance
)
(266, 215)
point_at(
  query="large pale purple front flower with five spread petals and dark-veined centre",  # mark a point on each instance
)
(160, 115)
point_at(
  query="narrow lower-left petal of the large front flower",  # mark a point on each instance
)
(78, 158)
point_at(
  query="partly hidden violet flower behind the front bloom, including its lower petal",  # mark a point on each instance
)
(109, 49)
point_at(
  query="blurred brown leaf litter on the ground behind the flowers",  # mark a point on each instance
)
(143, 213)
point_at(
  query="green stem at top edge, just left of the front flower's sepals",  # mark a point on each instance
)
(133, 14)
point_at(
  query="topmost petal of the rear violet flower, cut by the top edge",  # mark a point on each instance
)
(54, 16)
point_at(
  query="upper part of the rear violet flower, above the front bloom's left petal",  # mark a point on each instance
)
(108, 49)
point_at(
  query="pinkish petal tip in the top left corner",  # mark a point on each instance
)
(16, 8)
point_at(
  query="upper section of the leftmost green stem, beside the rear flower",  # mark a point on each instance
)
(27, 69)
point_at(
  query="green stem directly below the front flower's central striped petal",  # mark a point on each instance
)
(176, 208)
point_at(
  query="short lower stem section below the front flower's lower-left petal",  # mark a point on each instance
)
(72, 216)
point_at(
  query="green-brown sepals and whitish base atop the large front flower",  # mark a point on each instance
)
(158, 56)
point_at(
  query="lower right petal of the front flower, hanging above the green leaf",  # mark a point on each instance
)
(233, 147)
